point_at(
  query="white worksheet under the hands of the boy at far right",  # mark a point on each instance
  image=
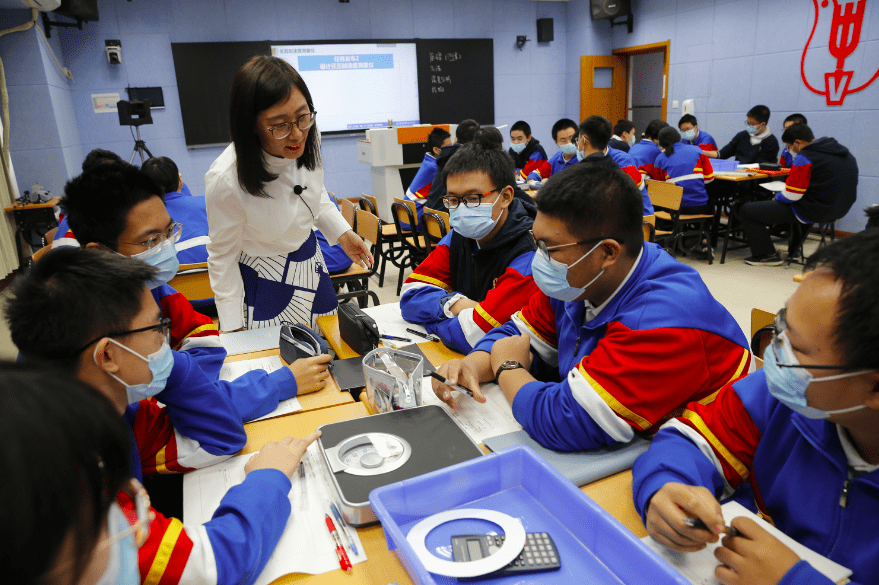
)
(699, 567)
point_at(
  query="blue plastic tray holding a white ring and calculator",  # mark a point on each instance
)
(593, 546)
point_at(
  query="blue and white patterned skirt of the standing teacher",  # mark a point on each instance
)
(295, 287)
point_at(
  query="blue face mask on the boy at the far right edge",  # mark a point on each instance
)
(788, 385)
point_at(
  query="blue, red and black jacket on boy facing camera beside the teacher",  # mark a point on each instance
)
(497, 276)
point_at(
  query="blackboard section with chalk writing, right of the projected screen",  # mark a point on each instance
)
(455, 80)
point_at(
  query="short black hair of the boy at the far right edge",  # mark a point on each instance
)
(854, 261)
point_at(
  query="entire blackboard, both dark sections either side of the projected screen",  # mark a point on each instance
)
(455, 81)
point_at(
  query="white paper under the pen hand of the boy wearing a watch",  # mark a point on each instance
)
(479, 421)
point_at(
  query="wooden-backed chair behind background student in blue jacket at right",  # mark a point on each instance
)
(667, 198)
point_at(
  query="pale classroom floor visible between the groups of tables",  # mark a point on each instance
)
(735, 284)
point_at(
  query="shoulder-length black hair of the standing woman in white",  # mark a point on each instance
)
(261, 83)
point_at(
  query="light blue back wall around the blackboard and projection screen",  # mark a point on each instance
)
(529, 84)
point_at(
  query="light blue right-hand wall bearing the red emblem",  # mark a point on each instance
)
(732, 55)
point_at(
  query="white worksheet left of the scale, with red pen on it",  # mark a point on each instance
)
(305, 545)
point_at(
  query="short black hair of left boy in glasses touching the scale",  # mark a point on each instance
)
(70, 296)
